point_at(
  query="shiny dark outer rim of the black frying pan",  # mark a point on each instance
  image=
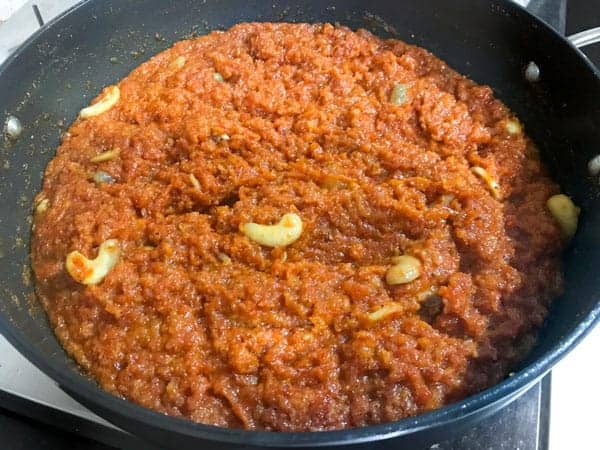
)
(508, 389)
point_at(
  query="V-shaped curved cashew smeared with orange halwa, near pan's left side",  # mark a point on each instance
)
(93, 271)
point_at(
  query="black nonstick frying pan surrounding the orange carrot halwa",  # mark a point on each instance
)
(56, 72)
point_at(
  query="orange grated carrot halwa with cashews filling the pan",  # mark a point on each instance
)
(296, 227)
